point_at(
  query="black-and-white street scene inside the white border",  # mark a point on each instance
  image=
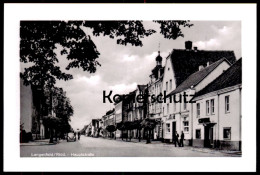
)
(130, 88)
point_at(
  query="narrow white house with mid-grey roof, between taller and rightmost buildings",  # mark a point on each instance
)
(180, 118)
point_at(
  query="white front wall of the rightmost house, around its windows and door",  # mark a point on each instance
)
(222, 119)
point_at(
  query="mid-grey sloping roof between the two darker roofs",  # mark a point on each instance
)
(197, 77)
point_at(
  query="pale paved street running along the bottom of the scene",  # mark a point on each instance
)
(100, 147)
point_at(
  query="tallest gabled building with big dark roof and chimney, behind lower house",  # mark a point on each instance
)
(179, 65)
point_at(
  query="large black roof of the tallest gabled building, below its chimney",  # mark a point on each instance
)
(186, 62)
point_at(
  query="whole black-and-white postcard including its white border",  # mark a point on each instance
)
(164, 83)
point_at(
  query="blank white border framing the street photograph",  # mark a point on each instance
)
(13, 13)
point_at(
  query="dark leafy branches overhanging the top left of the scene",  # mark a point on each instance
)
(39, 39)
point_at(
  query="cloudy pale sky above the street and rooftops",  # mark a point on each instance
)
(124, 67)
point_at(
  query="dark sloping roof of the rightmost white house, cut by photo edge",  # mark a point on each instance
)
(231, 77)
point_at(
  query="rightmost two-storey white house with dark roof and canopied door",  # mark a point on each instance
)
(217, 111)
